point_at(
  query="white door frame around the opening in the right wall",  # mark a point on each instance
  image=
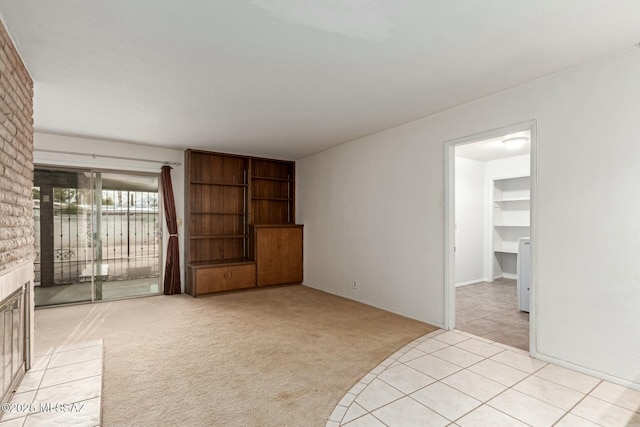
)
(449, 217)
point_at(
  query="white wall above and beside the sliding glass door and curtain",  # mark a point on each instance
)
(43, 141)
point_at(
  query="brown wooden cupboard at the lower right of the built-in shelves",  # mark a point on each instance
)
(278, 253)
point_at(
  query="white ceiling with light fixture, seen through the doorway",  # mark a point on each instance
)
(494, 148)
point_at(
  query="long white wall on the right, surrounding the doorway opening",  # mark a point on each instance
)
(373, 211)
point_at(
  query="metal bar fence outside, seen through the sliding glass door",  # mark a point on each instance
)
(130, 234)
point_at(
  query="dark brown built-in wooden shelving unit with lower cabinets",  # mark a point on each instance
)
(224, 195)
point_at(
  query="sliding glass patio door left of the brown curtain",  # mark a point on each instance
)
(97, 235)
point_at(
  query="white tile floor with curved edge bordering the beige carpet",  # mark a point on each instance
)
(457, 379)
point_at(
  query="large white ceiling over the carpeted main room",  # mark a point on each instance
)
(288, 78)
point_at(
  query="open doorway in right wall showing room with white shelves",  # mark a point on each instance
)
(489, 234)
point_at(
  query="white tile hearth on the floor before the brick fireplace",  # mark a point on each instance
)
(63, 387)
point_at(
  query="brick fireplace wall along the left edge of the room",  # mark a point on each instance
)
(16, 216)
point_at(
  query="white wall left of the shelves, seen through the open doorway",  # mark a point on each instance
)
(471, 206)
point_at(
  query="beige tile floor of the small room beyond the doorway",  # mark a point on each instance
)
(490, 310)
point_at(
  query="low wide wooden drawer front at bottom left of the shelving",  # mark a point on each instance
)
(223, 278)
